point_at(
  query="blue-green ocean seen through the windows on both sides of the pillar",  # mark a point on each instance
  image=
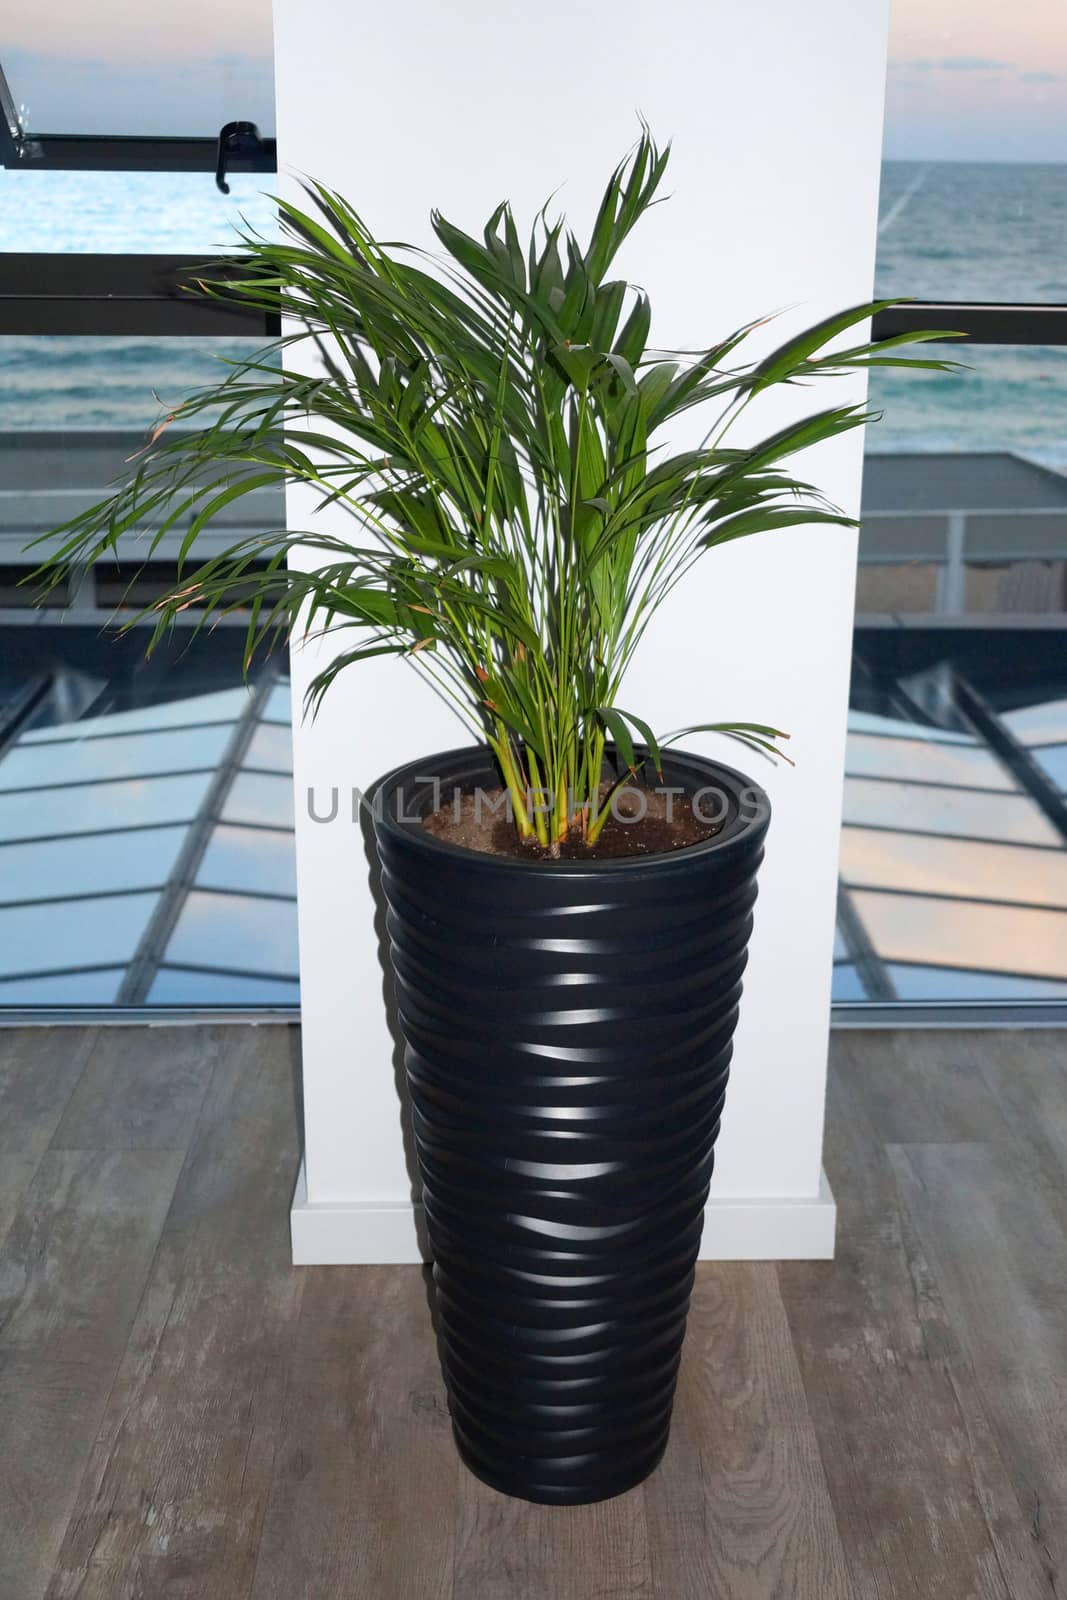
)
(948, 231)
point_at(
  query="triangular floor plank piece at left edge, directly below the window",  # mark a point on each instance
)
(39, 1071)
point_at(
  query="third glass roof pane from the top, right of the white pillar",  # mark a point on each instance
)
(953, 812)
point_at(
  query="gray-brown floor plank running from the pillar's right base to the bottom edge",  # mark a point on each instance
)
(925, 1502)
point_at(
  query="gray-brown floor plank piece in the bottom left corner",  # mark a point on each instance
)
(49, 1415)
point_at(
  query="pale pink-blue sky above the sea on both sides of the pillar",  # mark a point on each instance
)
(969, 79)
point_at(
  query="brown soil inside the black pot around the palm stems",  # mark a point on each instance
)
(663, 825)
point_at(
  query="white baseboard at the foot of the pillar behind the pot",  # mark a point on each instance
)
(364, 1234)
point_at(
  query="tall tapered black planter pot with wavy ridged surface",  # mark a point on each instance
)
(569, 1034)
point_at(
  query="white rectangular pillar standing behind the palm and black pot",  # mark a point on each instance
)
(777, 116)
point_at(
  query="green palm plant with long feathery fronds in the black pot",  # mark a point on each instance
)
(492, 422)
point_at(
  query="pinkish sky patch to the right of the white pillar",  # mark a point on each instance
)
(981, 81)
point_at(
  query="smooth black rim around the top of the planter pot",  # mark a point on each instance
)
(740, 834)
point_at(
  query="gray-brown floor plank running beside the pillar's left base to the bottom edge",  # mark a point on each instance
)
(178, 1479)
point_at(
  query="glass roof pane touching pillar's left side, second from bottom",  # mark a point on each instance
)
(236, 932)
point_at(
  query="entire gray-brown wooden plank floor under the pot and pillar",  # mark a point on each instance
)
(185, 1415)
